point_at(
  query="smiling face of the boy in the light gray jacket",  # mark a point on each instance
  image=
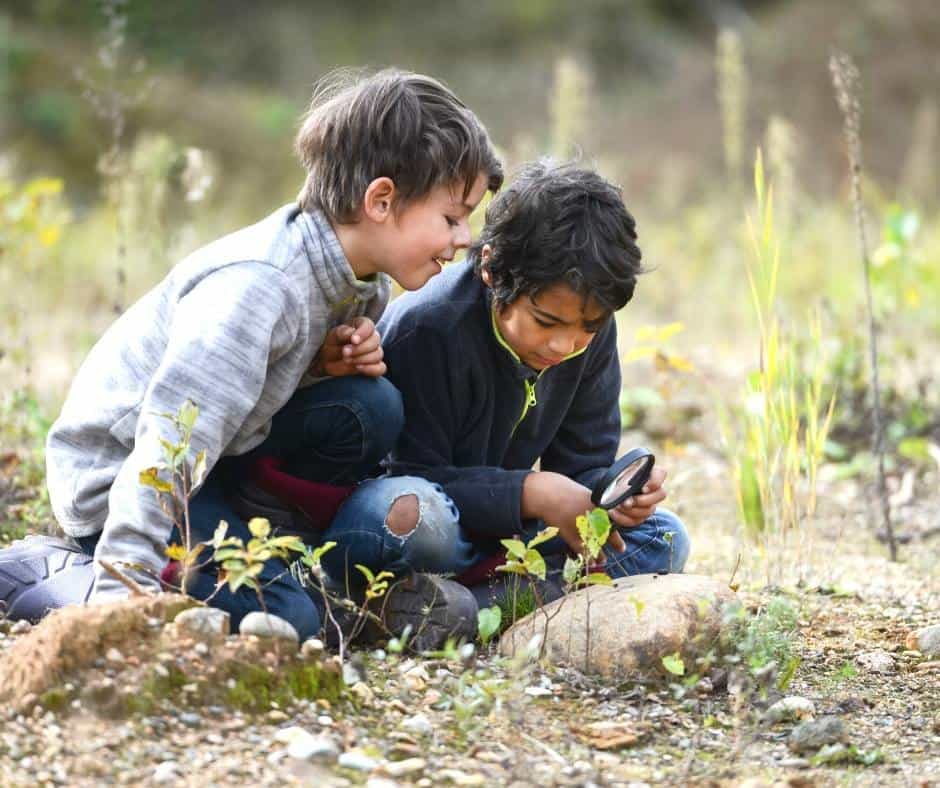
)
(416, 241)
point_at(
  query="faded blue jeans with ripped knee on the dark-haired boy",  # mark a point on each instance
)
(438, 543)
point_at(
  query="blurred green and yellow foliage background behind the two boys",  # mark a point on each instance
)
(131, 131)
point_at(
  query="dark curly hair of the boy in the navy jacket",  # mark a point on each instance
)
(560, 223)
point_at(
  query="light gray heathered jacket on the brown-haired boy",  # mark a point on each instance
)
(234, 327)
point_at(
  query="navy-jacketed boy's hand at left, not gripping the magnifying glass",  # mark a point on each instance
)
(559, 501)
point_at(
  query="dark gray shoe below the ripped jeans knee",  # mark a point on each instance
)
(434, 607)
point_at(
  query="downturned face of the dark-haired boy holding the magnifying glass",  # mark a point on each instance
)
(545, 329)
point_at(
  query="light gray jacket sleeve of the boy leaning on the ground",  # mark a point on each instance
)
(223, 336)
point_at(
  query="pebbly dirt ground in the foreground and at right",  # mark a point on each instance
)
(434, 721)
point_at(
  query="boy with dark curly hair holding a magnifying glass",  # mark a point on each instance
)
(506, 361)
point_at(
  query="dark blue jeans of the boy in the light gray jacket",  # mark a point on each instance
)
(336, 431)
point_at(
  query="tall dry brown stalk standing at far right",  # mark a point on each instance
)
(845, 78)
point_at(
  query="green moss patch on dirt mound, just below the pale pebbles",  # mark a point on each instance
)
(255, 688)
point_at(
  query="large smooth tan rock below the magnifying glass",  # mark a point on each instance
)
(632, 624)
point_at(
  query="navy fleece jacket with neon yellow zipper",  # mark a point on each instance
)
(472, 424)
